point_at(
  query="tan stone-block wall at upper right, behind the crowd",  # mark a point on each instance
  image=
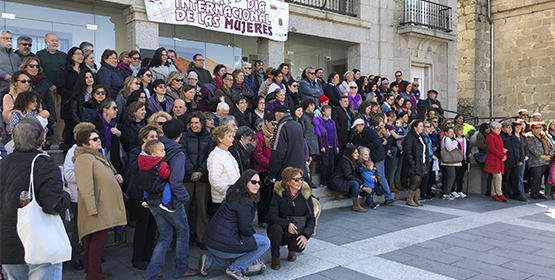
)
(522, 58)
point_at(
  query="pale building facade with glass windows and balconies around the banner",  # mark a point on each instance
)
(376, 36)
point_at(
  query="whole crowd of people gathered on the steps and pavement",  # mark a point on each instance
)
(200, 153)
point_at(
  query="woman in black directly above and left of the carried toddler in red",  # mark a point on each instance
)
(133, 121)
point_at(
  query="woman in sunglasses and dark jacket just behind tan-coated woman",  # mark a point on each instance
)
(105, 123)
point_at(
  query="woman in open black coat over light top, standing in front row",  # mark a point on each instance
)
(416, 160)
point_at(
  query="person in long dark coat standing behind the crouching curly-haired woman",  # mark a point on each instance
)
(288, 147)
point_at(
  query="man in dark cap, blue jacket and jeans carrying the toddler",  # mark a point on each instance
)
(177, 220)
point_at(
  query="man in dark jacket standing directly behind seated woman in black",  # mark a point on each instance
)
(343, 118)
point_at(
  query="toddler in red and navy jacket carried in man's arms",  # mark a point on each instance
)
(148, 159)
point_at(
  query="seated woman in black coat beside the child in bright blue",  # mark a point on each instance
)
(346, 178)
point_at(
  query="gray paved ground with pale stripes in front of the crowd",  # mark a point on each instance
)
(468, 238)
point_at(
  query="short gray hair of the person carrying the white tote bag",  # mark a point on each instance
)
(28, 134)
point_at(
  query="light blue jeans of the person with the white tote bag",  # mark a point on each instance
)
(33, 271)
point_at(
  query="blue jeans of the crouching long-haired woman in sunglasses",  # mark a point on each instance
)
(237, 261)
